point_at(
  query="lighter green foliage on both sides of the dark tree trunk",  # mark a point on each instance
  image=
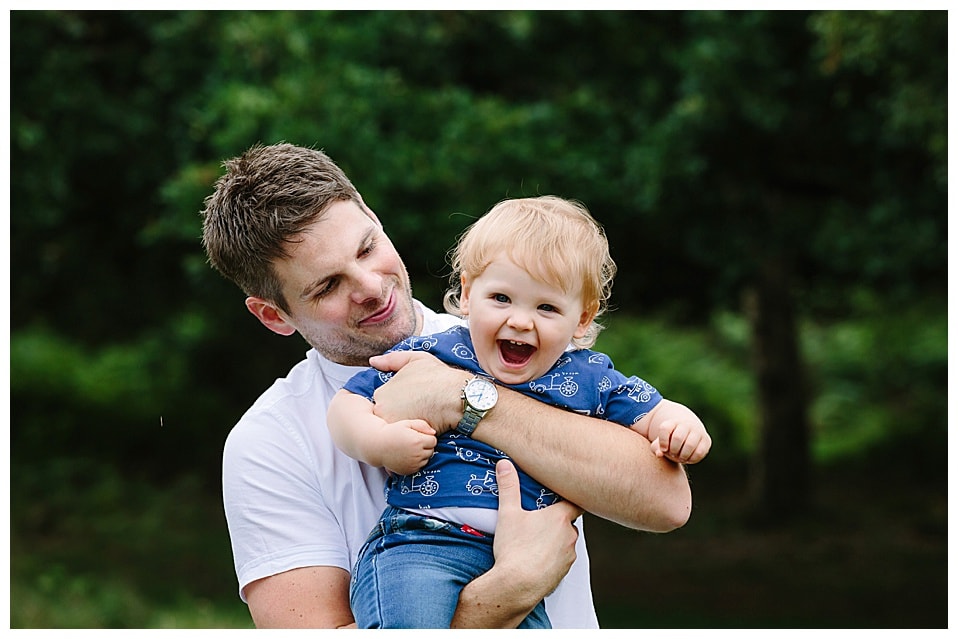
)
(877, 380)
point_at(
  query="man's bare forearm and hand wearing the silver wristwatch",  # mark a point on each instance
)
(603, 467)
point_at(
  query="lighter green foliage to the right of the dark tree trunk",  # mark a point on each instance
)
(898, 396)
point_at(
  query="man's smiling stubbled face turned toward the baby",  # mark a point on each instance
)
(346, 286)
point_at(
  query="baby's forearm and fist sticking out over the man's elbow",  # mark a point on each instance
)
(676, 433)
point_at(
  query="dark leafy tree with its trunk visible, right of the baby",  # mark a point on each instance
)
(794, 159)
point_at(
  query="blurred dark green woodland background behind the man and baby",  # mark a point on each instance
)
(774, 187)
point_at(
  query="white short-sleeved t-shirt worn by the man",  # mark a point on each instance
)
(294, 500)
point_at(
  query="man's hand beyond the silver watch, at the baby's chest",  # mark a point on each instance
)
(422, 387)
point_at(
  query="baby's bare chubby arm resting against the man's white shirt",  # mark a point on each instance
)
(402, 447)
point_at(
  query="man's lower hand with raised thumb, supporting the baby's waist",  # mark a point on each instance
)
(534, 550)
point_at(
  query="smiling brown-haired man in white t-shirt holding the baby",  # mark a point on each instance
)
(286, 225)
